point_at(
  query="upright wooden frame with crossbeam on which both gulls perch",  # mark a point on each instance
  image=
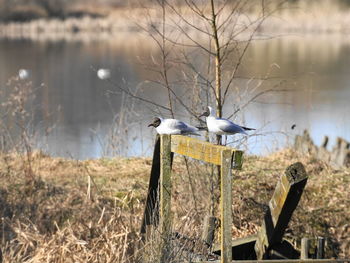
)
(226, 157)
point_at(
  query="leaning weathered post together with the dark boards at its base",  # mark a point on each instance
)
(269, 243)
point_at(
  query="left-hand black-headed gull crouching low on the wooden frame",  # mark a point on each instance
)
(173, 126)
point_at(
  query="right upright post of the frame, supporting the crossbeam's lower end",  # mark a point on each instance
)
(226, 206)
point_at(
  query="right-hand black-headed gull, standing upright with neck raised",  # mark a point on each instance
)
(222, 126)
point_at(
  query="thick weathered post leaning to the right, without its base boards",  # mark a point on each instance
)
(281, 207)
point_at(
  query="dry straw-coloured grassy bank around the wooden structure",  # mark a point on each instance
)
(90, 211)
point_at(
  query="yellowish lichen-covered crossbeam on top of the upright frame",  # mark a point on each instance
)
(203, 151)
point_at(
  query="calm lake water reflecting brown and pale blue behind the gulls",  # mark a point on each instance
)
(89, 124)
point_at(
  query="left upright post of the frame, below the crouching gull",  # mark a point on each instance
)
(165, 194)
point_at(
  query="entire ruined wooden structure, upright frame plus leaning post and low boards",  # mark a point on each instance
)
(268, 244)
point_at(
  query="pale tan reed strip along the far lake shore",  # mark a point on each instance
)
(290, 21)
